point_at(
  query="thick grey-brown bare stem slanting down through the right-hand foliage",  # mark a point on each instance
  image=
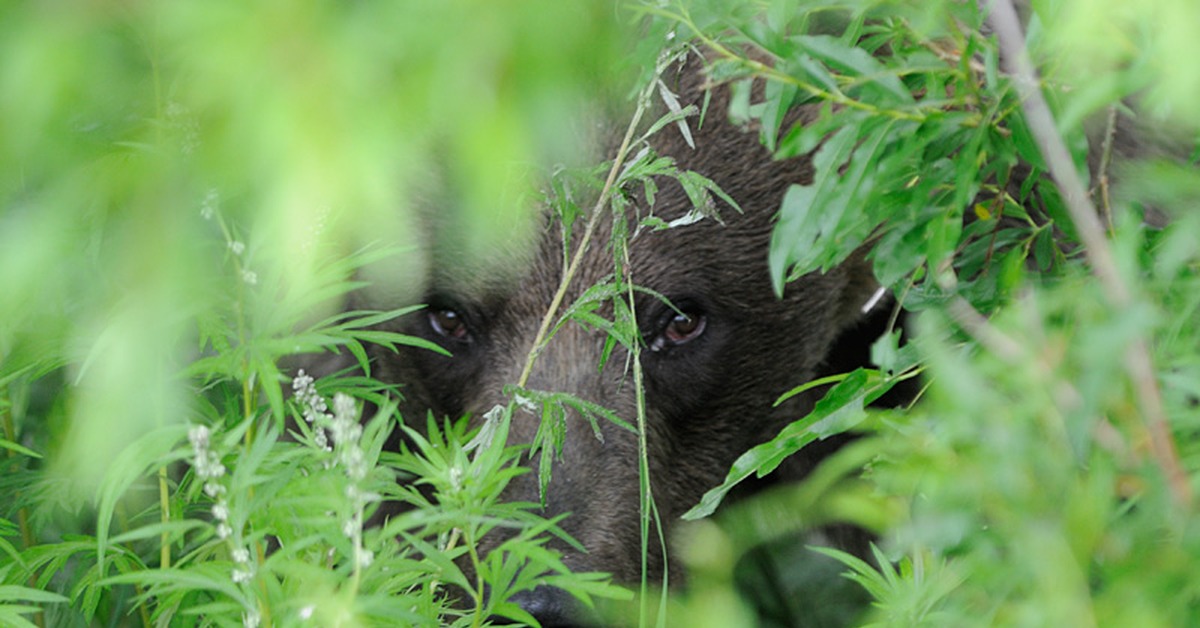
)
(1091, 232)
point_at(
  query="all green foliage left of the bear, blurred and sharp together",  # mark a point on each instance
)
(189, 194)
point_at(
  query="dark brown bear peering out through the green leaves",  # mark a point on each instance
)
(717, 352)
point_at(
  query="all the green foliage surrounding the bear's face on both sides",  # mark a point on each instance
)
(189, 189)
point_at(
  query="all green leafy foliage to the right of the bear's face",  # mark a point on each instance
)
(1033, 482)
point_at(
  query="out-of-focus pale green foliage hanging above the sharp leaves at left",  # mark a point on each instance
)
(310, 127)
